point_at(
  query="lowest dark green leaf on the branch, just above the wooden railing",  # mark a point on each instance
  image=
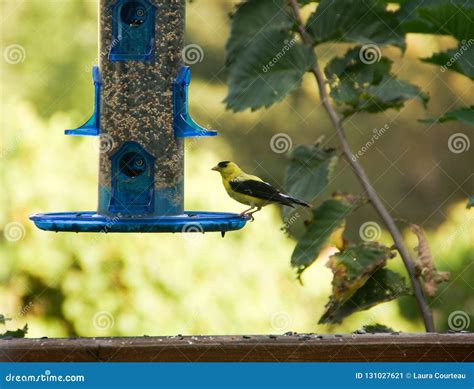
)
(384, 285)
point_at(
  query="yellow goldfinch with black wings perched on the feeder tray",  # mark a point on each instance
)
(251, 190)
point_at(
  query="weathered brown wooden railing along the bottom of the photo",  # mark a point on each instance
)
(268, 348)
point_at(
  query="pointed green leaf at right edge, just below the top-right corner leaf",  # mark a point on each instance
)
(459, 60)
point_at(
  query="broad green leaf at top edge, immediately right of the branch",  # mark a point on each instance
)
(365, 22)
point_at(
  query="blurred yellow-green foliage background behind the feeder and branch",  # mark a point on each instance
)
(97, 285)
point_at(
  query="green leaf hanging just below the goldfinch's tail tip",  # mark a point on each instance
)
(327, 219)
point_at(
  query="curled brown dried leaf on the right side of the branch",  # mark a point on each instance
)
(424, 263)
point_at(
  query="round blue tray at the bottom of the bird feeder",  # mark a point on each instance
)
(93, 222)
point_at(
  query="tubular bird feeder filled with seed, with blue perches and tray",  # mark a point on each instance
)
(141, 118)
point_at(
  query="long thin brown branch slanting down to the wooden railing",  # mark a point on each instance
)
(362, 176)
